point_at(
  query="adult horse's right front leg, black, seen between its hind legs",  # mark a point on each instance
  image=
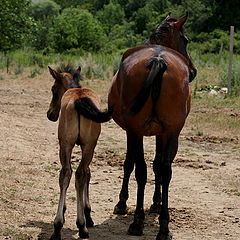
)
(157, 198)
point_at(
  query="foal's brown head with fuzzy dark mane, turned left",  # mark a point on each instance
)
(64, 79)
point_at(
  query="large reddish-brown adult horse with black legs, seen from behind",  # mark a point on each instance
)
(150, 97)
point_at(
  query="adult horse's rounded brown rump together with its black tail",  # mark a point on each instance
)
(153, 90)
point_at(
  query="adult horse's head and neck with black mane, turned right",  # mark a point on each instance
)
(170, 34)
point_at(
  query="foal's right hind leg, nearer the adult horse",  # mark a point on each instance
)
(81, 184)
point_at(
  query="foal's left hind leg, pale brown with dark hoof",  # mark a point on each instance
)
(64, 179)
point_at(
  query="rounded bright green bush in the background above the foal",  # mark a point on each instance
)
(77, 28)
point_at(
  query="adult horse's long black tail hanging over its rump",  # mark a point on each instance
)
(153, 82)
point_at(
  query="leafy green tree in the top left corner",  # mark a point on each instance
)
(15, 24)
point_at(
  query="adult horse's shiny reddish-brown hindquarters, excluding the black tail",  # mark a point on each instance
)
(172, 106)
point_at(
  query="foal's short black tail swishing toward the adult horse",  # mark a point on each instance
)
(88, 109)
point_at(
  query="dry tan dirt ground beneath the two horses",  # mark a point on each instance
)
(204, 197)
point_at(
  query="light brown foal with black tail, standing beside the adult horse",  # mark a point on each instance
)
(79, 123)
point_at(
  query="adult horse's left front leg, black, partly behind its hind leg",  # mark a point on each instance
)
(121, 207)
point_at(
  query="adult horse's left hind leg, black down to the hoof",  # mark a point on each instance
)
(135, 143)
